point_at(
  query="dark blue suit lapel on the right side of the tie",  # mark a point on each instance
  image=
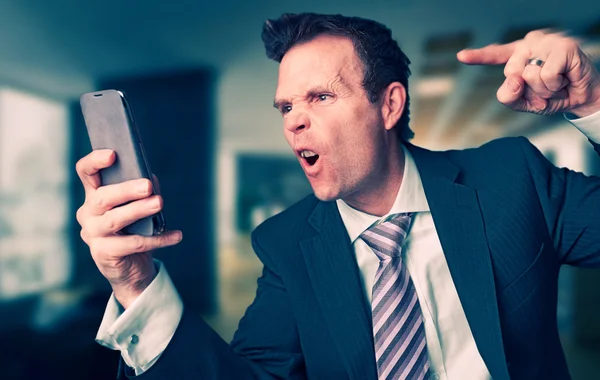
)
(459, 224)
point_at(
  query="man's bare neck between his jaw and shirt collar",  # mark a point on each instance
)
(380, 189)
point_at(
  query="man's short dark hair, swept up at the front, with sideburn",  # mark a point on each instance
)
(383, 60)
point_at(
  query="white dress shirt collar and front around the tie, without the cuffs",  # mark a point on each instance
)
(450, 344)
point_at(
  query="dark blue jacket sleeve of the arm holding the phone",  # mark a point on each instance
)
(265, 346)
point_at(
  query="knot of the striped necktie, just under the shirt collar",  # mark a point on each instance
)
(386, 238)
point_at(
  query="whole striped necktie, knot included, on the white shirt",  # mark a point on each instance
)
(399, 335)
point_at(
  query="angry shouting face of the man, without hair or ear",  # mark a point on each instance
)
(336, 133)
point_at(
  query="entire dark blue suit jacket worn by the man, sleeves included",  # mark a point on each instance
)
(507, 220)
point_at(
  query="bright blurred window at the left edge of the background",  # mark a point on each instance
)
(34, 250)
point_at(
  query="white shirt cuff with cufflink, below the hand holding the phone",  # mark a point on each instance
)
(143, 331)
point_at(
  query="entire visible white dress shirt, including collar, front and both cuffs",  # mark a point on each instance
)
(143, 331)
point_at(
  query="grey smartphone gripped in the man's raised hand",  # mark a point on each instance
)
(110, 125)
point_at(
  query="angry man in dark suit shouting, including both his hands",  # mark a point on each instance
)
(405, 263)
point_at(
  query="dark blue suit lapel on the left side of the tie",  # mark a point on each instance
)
(335, 278)
